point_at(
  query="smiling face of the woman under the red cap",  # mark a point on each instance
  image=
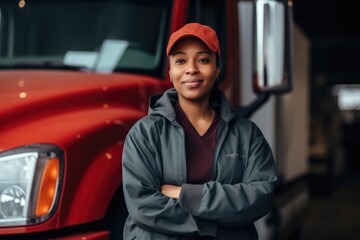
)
(193, 70)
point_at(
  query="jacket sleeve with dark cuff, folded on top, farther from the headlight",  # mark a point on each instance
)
(241, 203)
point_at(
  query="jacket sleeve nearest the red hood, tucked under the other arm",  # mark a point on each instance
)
(149, 209)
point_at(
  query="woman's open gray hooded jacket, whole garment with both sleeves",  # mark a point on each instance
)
(240, 192)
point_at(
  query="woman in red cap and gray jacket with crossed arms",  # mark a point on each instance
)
(193, 168)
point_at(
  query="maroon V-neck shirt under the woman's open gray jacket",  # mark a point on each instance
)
(199, 151)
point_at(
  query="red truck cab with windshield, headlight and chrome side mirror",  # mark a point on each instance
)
(76, 75)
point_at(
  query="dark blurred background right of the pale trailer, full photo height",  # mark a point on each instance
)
(333, 29)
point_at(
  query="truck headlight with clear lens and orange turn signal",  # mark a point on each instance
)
(30, 181)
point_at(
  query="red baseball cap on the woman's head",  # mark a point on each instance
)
(202, 32)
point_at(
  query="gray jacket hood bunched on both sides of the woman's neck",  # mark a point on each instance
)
(162, 104)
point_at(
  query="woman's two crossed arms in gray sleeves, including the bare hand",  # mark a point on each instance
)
(152, 205)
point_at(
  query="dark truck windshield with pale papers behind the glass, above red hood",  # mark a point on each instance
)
(100, 36)
